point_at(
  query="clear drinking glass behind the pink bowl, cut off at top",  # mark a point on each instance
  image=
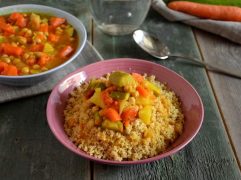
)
(119, 17)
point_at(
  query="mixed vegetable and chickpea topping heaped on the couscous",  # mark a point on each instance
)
(122, 100)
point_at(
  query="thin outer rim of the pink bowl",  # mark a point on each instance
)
(111, 162)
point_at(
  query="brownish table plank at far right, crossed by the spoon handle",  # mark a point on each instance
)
(225, 54)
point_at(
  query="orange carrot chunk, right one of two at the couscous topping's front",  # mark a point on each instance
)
(129, 115)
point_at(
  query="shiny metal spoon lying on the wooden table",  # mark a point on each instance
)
(156, 48)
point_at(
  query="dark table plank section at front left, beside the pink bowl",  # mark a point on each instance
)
(28, 149)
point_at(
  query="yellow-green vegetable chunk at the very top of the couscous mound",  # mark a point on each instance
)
(122, 79)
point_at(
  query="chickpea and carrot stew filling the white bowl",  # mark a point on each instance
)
(31, 43)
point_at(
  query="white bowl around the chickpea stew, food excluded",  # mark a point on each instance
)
(27, 80)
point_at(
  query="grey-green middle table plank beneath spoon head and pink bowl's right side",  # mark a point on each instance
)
(209, 155)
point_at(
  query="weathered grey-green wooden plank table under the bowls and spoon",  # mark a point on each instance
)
(28, 150)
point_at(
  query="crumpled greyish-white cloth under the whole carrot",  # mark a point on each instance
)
(226, 29)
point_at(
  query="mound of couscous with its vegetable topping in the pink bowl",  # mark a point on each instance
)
(123, 117)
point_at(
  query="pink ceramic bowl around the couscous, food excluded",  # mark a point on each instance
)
(191, 102)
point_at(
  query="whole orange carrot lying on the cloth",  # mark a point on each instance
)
(216, 12)
